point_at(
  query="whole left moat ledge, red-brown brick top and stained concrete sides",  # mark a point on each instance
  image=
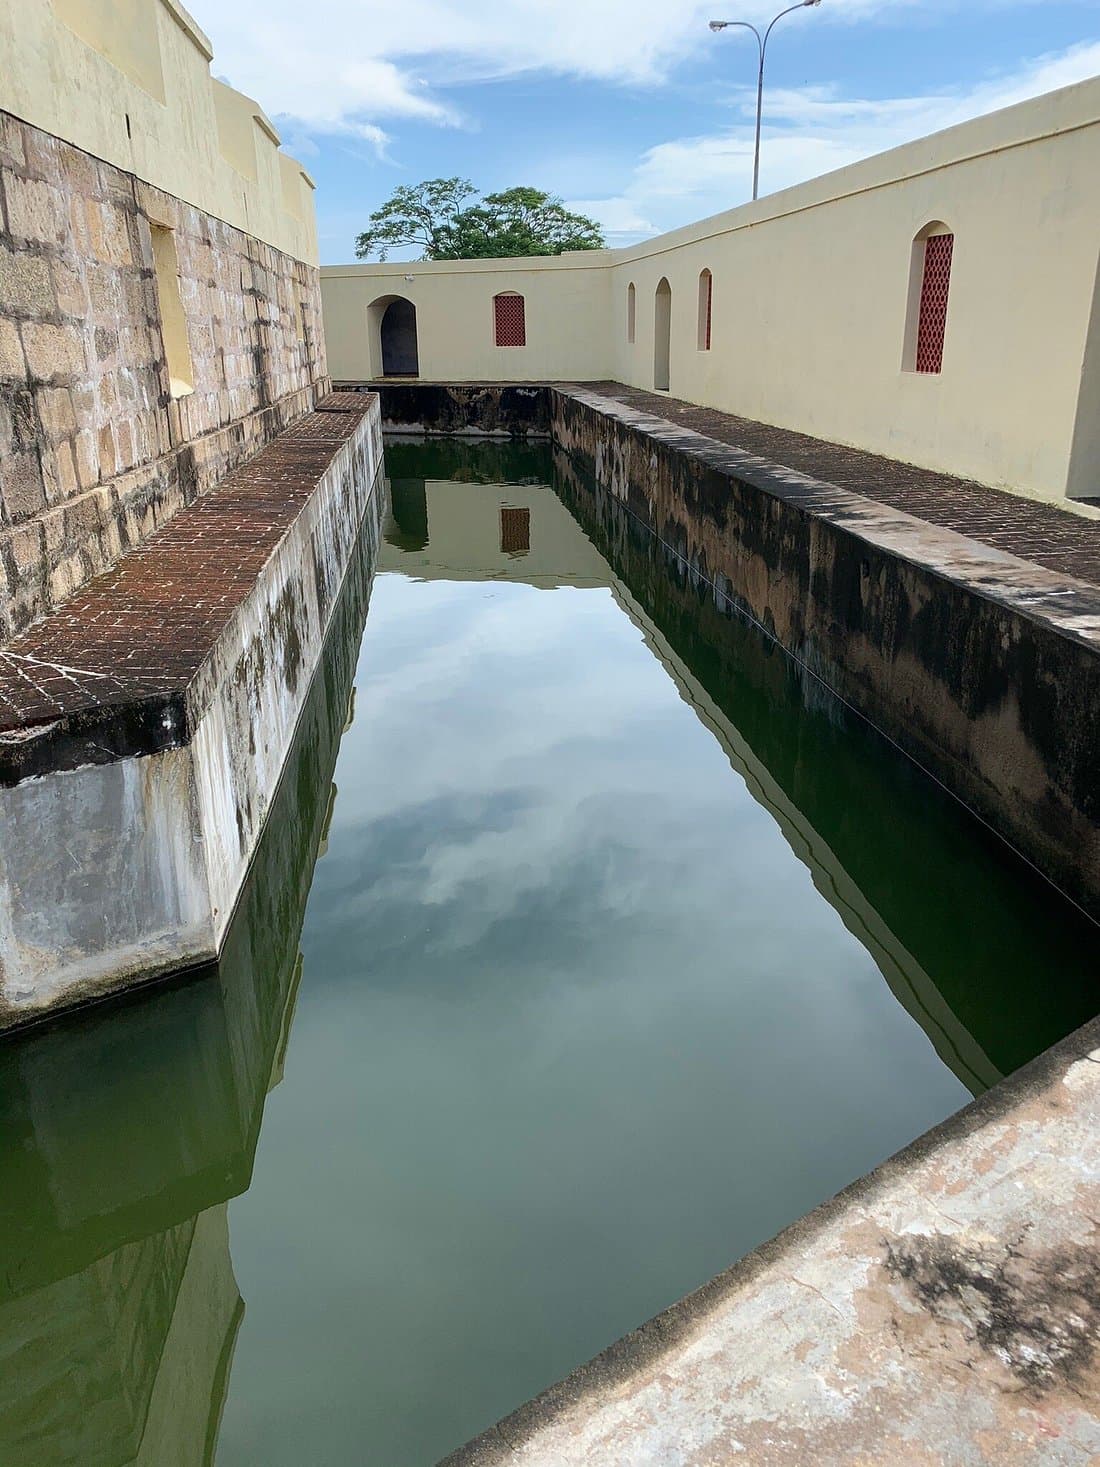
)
(144, 725)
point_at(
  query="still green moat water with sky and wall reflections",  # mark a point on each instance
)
(626, 947)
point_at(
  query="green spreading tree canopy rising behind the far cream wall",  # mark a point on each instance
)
(445, 219)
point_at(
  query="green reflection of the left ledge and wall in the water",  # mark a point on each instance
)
(124, 1133)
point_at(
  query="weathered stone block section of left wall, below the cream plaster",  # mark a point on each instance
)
(96, 451)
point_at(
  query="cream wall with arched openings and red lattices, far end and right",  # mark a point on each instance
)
(812, 296)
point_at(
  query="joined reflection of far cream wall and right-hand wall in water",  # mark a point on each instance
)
(983, 954)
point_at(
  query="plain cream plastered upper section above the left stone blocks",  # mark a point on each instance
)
(130, 83)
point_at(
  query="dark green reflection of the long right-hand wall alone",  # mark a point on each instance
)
(869, 827)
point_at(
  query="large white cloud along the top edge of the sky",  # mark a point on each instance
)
(350, 67)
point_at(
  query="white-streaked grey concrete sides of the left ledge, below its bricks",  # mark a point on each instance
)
(118, 871)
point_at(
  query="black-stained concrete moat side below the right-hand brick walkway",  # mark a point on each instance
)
(983, 668)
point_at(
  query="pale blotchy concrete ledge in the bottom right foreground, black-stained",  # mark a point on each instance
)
(942, 1311)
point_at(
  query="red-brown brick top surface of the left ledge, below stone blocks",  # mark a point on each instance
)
(115, 662)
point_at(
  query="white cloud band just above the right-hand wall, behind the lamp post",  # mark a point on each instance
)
(806, 134)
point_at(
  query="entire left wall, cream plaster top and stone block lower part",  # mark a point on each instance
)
(161, 315)
